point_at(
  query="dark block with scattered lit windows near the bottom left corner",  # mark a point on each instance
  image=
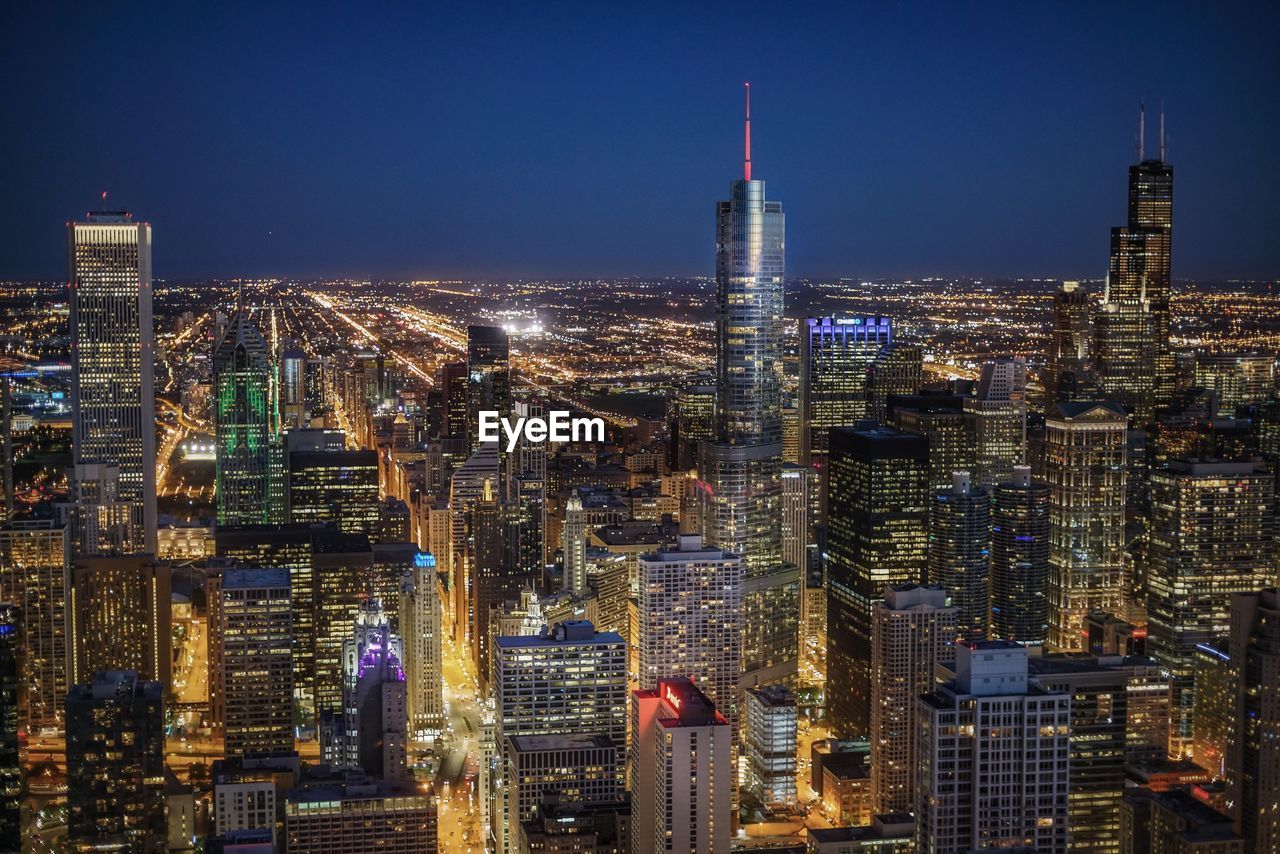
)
(116, 765)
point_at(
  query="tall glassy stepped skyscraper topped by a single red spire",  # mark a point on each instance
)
(742, 468)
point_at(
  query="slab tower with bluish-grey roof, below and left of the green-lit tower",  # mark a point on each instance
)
(255, 643)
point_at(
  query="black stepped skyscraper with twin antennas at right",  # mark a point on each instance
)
(1135, 359)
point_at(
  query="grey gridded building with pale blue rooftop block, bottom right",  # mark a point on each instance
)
(994, 757)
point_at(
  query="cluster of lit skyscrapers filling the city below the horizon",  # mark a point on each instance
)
(1032, 615)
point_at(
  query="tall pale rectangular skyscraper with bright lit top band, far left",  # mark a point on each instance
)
(113, 386)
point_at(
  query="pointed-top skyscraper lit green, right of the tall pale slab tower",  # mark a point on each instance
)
(245, 426)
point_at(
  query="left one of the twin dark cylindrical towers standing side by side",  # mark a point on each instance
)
(961, 554)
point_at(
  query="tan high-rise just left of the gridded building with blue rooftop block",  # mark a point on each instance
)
(913, 629)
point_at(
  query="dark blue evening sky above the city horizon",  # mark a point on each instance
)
(543, 139)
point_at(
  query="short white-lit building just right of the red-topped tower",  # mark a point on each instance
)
(770, 746)
